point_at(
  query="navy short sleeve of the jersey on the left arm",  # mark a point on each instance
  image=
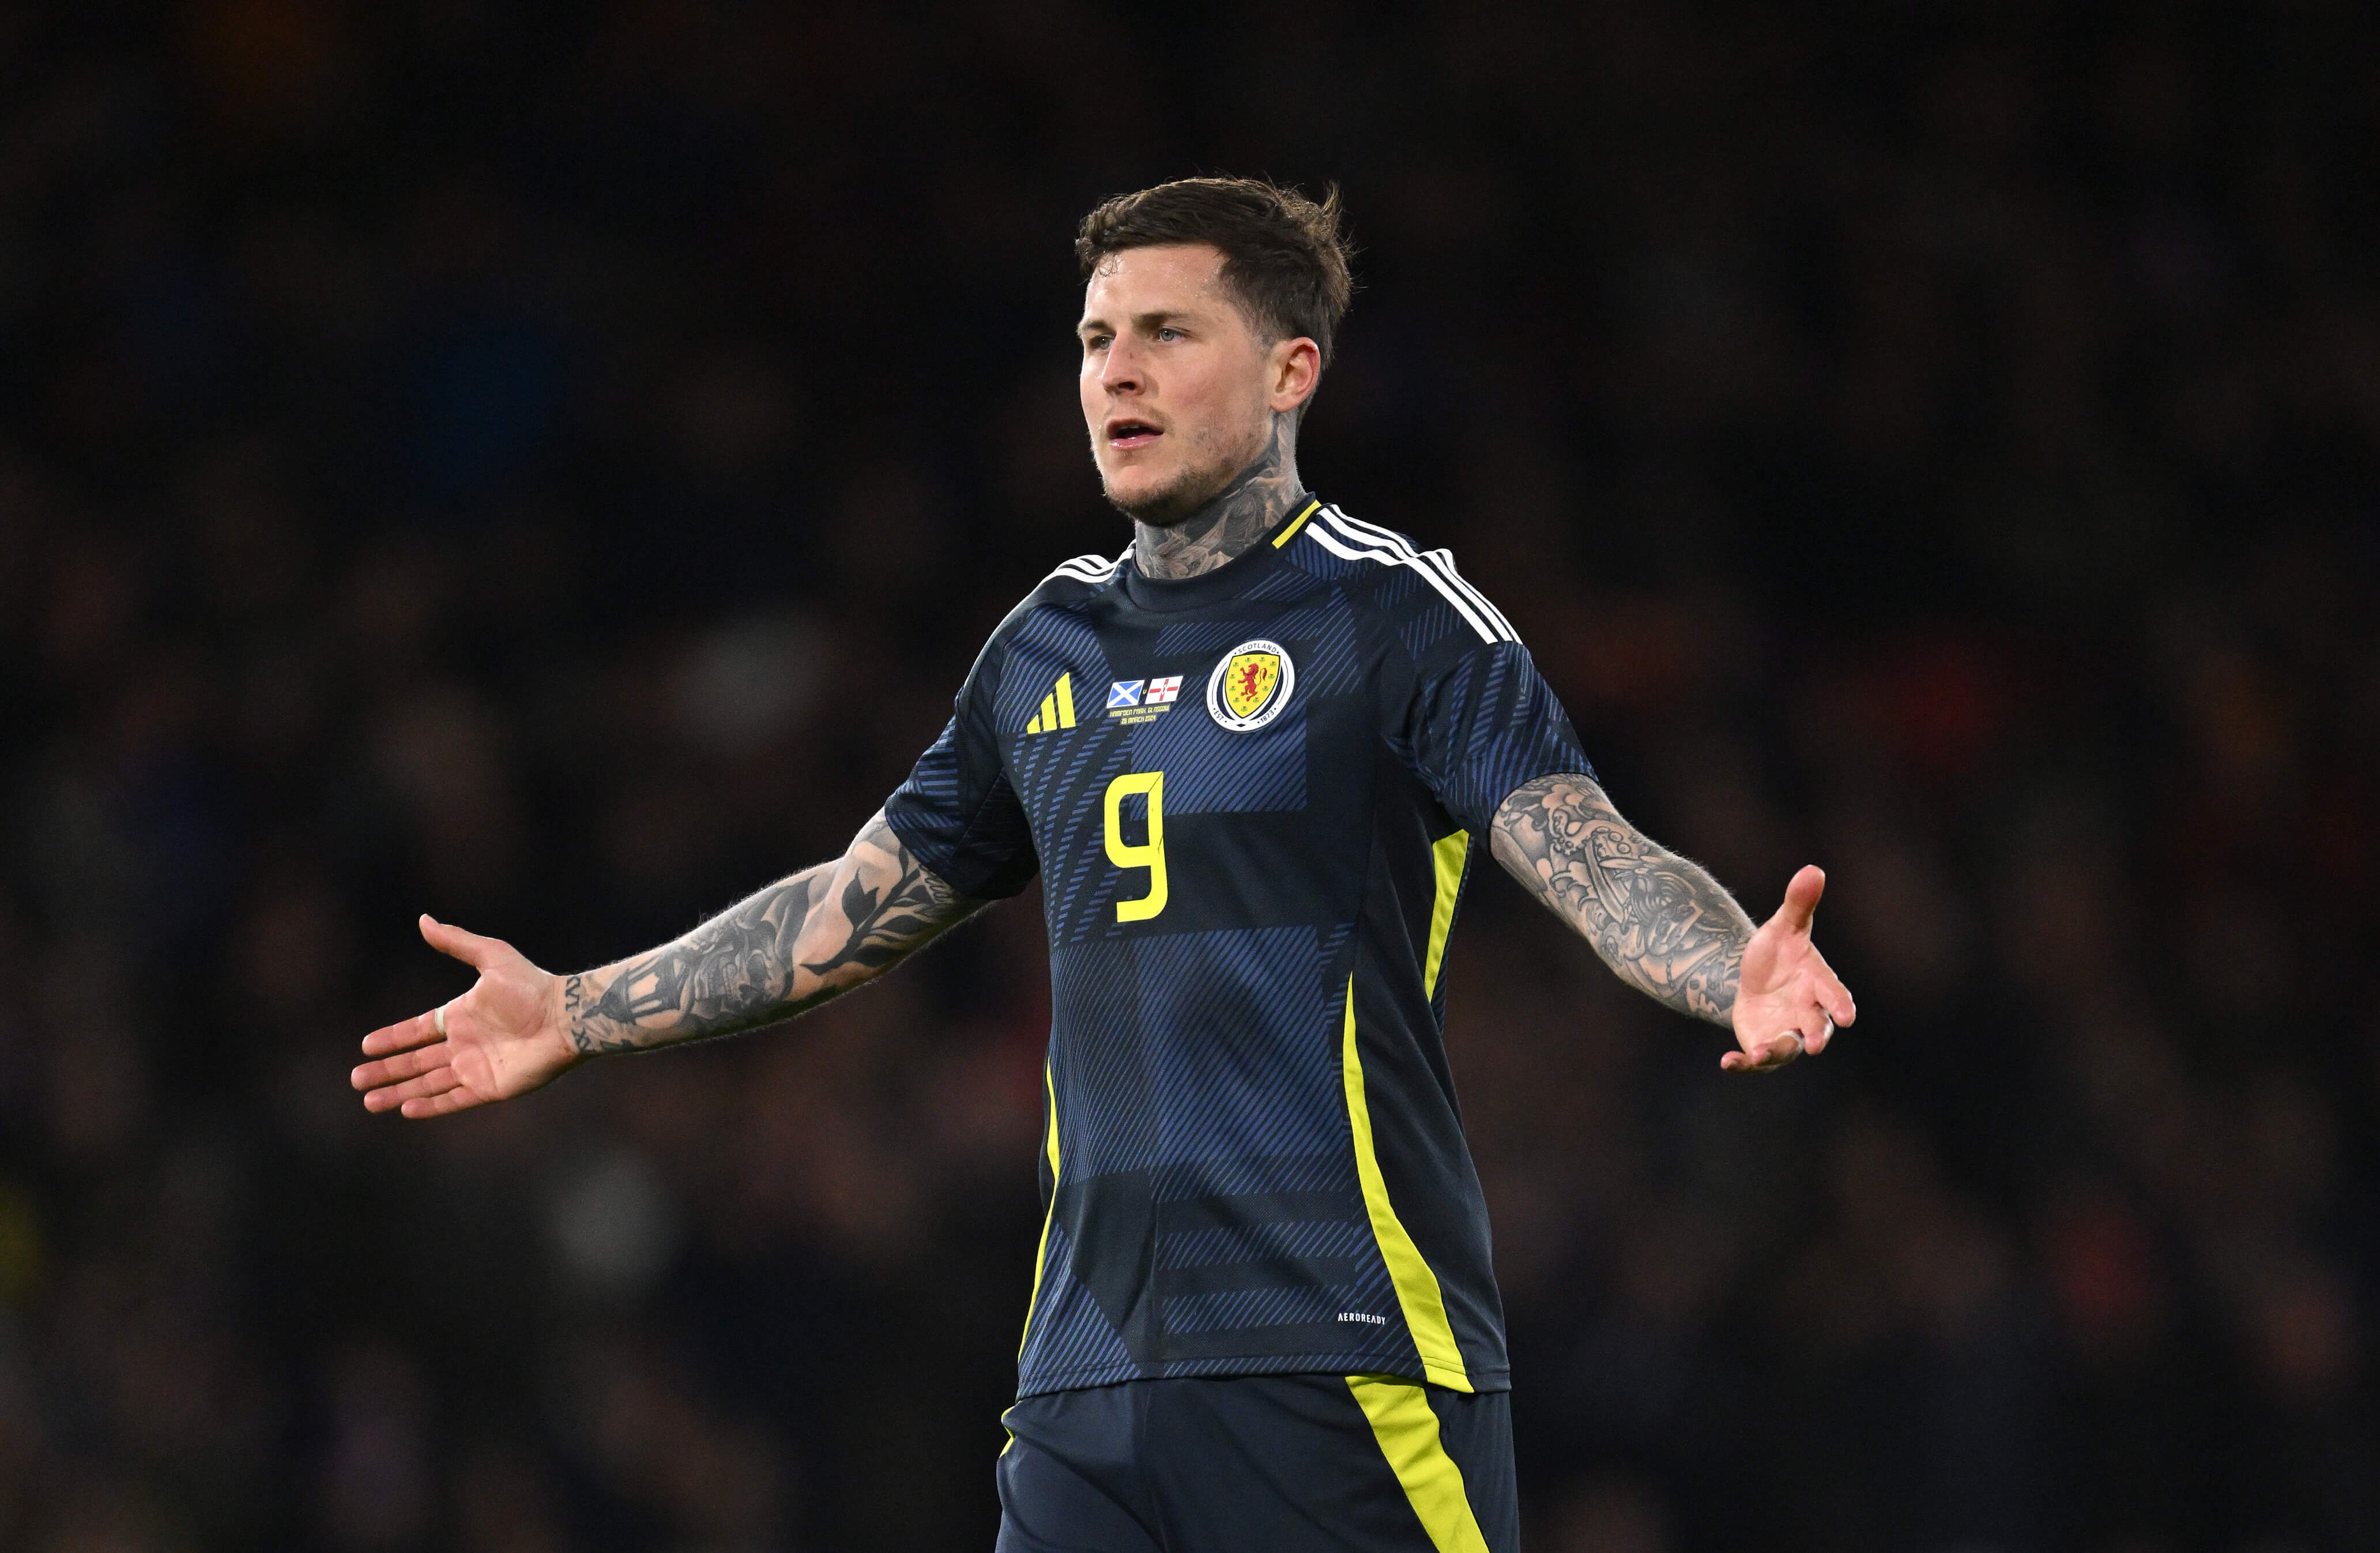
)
(958, 812)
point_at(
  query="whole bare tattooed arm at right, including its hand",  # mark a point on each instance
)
(1670, 929)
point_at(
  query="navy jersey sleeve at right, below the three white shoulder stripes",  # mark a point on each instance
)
(1482, 724)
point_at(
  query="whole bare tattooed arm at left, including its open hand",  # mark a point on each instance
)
(782, 952)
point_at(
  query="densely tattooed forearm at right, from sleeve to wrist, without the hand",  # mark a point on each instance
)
(1658, 919)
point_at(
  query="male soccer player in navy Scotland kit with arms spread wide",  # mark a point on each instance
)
(1251, 762)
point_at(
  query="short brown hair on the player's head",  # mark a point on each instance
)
(1284, 256)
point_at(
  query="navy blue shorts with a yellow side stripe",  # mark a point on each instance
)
(1279, 1464)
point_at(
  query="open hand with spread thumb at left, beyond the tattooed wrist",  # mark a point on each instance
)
(503, 1038)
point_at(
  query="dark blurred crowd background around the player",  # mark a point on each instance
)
(551, 467)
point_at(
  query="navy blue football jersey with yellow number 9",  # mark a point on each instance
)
(1253, 800)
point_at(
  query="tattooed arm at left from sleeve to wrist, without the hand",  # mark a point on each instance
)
(775, 955)
